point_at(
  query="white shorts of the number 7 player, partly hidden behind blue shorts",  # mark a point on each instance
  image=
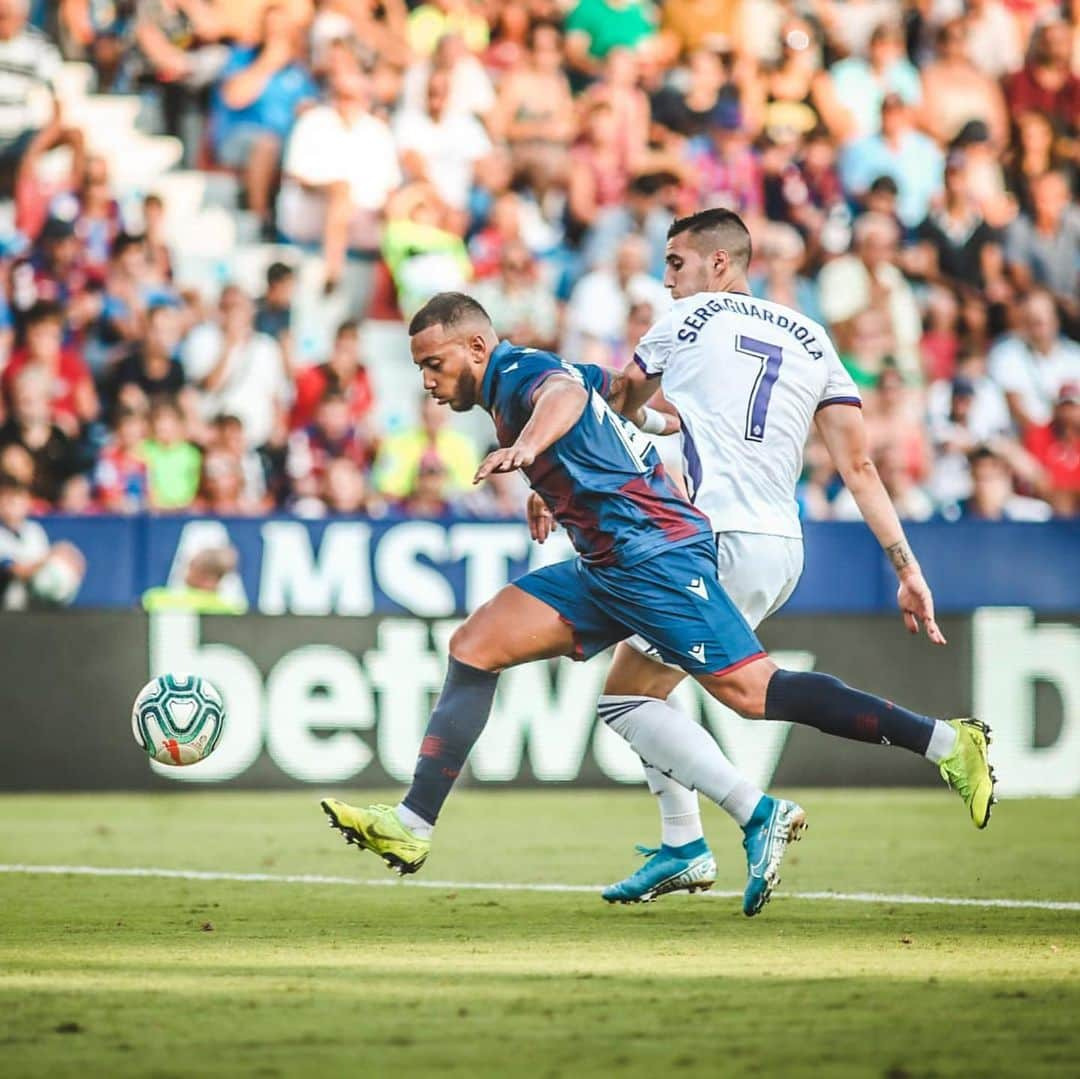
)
(759, 573)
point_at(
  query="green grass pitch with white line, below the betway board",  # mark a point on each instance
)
(147, 977)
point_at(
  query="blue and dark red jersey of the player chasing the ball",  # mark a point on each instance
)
(603, 481)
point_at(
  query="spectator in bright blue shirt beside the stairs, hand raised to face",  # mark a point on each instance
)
(254, 106)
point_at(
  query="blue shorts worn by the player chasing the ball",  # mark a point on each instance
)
(673, 600)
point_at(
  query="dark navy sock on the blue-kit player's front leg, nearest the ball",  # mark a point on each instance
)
(461, 716)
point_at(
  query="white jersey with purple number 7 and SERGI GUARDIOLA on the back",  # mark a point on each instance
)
(748, 377)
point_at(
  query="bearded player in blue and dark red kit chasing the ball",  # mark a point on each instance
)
(646, 565)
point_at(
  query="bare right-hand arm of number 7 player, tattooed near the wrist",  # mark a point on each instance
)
(845, 435)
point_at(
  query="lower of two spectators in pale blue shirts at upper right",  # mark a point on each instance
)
(911, 158)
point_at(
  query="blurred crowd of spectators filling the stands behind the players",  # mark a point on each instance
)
(909, 171)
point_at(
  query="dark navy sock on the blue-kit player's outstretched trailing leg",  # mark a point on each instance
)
(822, 702)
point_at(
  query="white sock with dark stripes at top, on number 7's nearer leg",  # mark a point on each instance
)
(678, 747)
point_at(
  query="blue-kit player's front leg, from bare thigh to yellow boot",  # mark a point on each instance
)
(510, 629)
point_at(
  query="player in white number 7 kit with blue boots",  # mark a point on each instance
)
(749, 379)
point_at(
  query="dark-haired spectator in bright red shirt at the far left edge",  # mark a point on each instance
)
(73, 397)
